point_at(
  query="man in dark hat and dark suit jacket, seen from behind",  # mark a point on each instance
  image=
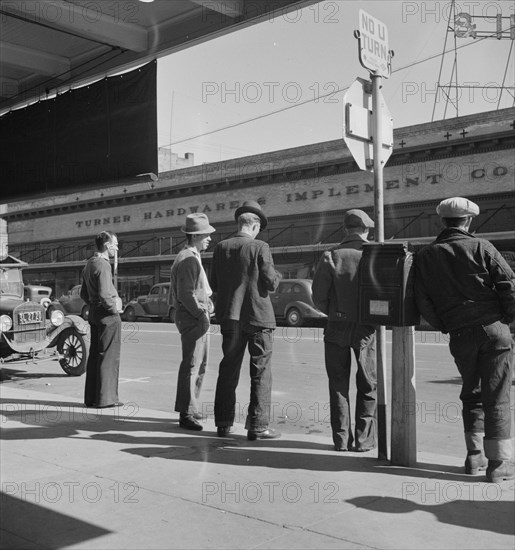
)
(242, 275)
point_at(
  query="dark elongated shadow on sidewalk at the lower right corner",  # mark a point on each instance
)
(485, 514)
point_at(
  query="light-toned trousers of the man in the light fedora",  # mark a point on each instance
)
(195, 349)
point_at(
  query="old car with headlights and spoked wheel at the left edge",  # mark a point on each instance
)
(29, 331)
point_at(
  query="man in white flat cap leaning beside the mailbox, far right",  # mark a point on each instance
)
(464, 287)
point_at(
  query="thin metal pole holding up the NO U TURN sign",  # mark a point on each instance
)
(377, 145)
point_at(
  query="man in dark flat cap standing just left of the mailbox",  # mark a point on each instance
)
(335, 292)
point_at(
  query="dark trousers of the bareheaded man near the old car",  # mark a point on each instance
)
(104, 358)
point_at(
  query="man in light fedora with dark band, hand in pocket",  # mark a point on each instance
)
(189, 295)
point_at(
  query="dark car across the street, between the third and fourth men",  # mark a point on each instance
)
(293, 302)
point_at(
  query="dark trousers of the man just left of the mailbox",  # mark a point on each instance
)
(339, 340)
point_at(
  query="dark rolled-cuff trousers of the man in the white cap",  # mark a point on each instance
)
(484, 357)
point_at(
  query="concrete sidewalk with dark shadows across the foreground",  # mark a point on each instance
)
(131, 478)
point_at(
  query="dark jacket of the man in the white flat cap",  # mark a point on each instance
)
(461, 281)
